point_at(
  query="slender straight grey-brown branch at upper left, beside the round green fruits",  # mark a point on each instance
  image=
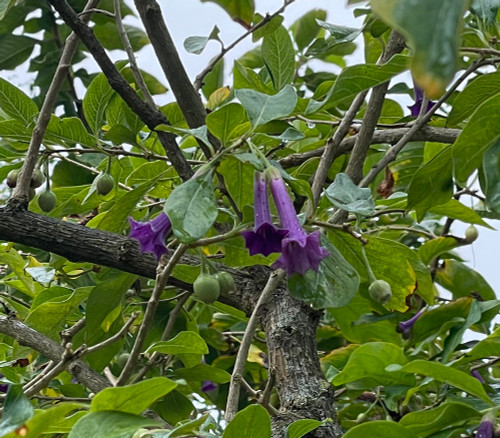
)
(23, 181)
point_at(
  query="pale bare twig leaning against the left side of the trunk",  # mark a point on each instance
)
(241, 358)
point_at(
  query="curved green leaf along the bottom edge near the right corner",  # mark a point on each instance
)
(430, 421)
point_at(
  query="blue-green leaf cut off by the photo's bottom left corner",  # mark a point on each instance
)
(17, 410)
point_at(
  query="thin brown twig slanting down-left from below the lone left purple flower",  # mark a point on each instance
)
(161, 281)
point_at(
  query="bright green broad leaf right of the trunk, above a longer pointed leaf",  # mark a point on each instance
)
(368, 363)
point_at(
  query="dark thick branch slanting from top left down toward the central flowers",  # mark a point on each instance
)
(152, 117)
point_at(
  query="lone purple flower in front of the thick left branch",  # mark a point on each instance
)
(151, 235)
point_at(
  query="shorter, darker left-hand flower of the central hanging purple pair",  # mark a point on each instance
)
(265, 237)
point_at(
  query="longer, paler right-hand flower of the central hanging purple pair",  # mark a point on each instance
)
(300, 251)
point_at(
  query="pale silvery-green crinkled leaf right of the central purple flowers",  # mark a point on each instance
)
(344, 194)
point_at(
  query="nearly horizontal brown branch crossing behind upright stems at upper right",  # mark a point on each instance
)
(389, 136)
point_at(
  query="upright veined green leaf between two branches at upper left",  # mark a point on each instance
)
(95, 102)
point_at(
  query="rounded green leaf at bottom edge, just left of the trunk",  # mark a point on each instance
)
(253, 421)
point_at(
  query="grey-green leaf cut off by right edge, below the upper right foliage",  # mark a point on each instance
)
(489, 177)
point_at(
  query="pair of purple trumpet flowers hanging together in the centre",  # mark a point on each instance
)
(299, 251)
